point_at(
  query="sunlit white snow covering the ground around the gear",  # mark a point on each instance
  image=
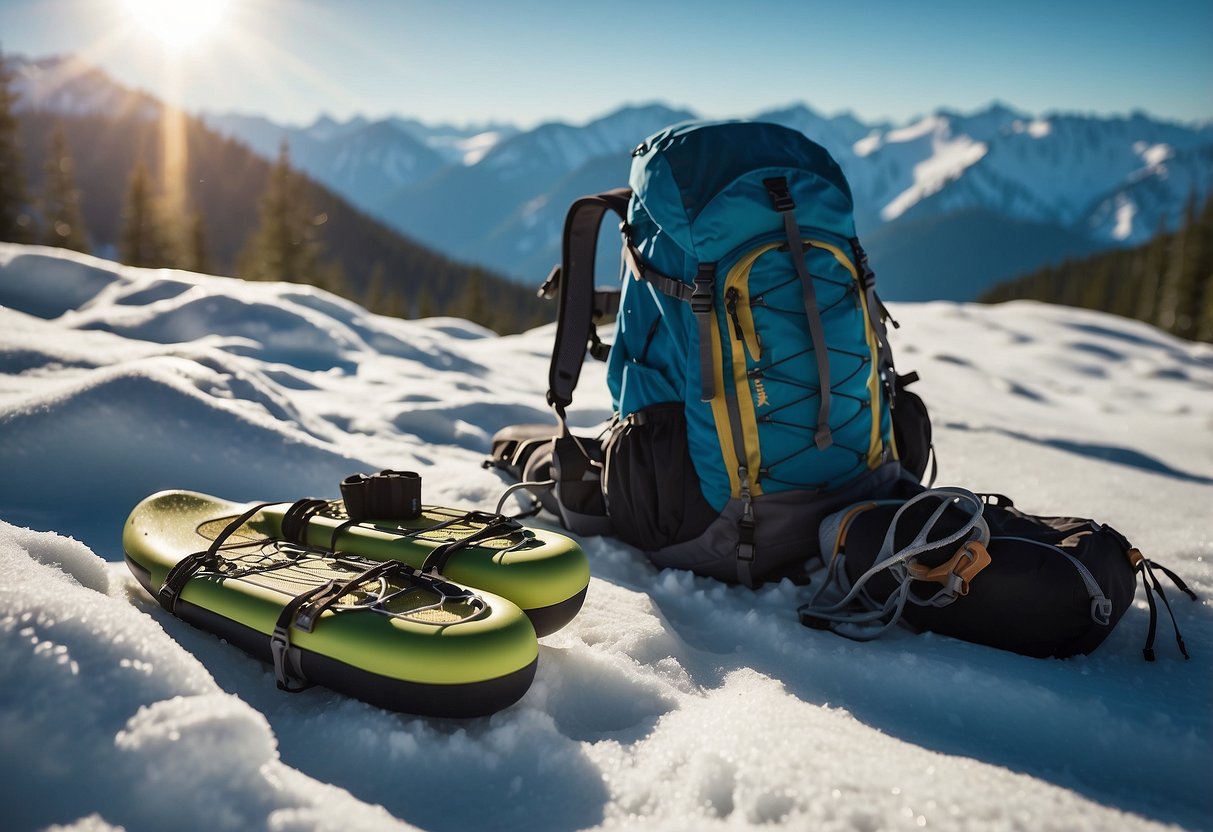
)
(673, 702)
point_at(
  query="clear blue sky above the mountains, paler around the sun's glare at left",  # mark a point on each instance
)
(531, 61)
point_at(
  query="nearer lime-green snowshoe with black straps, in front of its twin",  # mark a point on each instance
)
(390, 635)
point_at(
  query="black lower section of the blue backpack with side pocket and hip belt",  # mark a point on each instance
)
(640, 485)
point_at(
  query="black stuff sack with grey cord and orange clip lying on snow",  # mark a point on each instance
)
(981, 571)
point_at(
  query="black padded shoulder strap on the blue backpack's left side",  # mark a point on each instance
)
(574, 283)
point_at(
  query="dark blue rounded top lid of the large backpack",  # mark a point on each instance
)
(699, 183)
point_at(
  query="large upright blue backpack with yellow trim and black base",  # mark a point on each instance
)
(751, 379)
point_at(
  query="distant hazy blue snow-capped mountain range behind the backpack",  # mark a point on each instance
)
(948, 204)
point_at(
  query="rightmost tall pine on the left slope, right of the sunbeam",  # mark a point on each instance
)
(284, 247)
